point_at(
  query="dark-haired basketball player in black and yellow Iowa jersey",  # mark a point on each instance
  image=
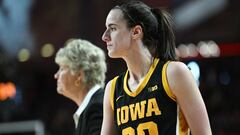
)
(157, 95)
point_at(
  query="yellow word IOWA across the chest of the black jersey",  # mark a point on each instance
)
(137, 111)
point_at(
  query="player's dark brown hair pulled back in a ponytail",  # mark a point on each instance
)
(157, 27)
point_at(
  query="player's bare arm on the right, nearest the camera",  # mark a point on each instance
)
(188, 96)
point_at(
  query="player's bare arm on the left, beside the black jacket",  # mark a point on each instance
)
(108, 127)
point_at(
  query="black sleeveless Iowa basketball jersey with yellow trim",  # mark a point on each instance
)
(151, 109)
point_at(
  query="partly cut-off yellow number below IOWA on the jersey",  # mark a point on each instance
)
(149, 128)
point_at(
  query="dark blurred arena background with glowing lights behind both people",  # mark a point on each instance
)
(31, 31)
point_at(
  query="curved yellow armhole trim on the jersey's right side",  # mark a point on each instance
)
(165, 82)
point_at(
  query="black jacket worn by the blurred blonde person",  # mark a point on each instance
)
(90, 121)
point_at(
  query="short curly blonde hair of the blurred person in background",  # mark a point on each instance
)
(81, 54)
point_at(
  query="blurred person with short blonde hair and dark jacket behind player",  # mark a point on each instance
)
(81, 77)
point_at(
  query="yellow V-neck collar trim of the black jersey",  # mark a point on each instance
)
(143, 84)
